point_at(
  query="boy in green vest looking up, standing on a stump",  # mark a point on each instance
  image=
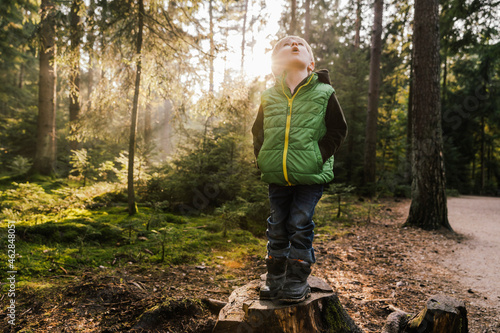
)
(298, 128)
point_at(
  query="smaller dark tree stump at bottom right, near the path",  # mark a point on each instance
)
(442, 314)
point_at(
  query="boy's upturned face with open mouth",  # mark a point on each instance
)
(293, 54)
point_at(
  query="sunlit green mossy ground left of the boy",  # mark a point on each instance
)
(108, 237)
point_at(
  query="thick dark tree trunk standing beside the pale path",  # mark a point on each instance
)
(428, 208)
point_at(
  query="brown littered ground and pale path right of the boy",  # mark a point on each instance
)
(380, 264)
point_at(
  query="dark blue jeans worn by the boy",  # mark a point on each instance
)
(290, 228)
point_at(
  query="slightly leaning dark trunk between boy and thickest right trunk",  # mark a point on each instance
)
(373, 96)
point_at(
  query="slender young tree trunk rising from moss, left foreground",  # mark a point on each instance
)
(132, 209)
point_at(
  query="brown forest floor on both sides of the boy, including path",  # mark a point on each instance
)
(372, 263)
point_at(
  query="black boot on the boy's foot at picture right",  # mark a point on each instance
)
(296, 289)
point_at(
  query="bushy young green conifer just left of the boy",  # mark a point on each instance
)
(214, 166)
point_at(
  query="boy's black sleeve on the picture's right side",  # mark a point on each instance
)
(336, 129)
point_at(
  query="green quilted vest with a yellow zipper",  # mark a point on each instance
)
(293, 125)
